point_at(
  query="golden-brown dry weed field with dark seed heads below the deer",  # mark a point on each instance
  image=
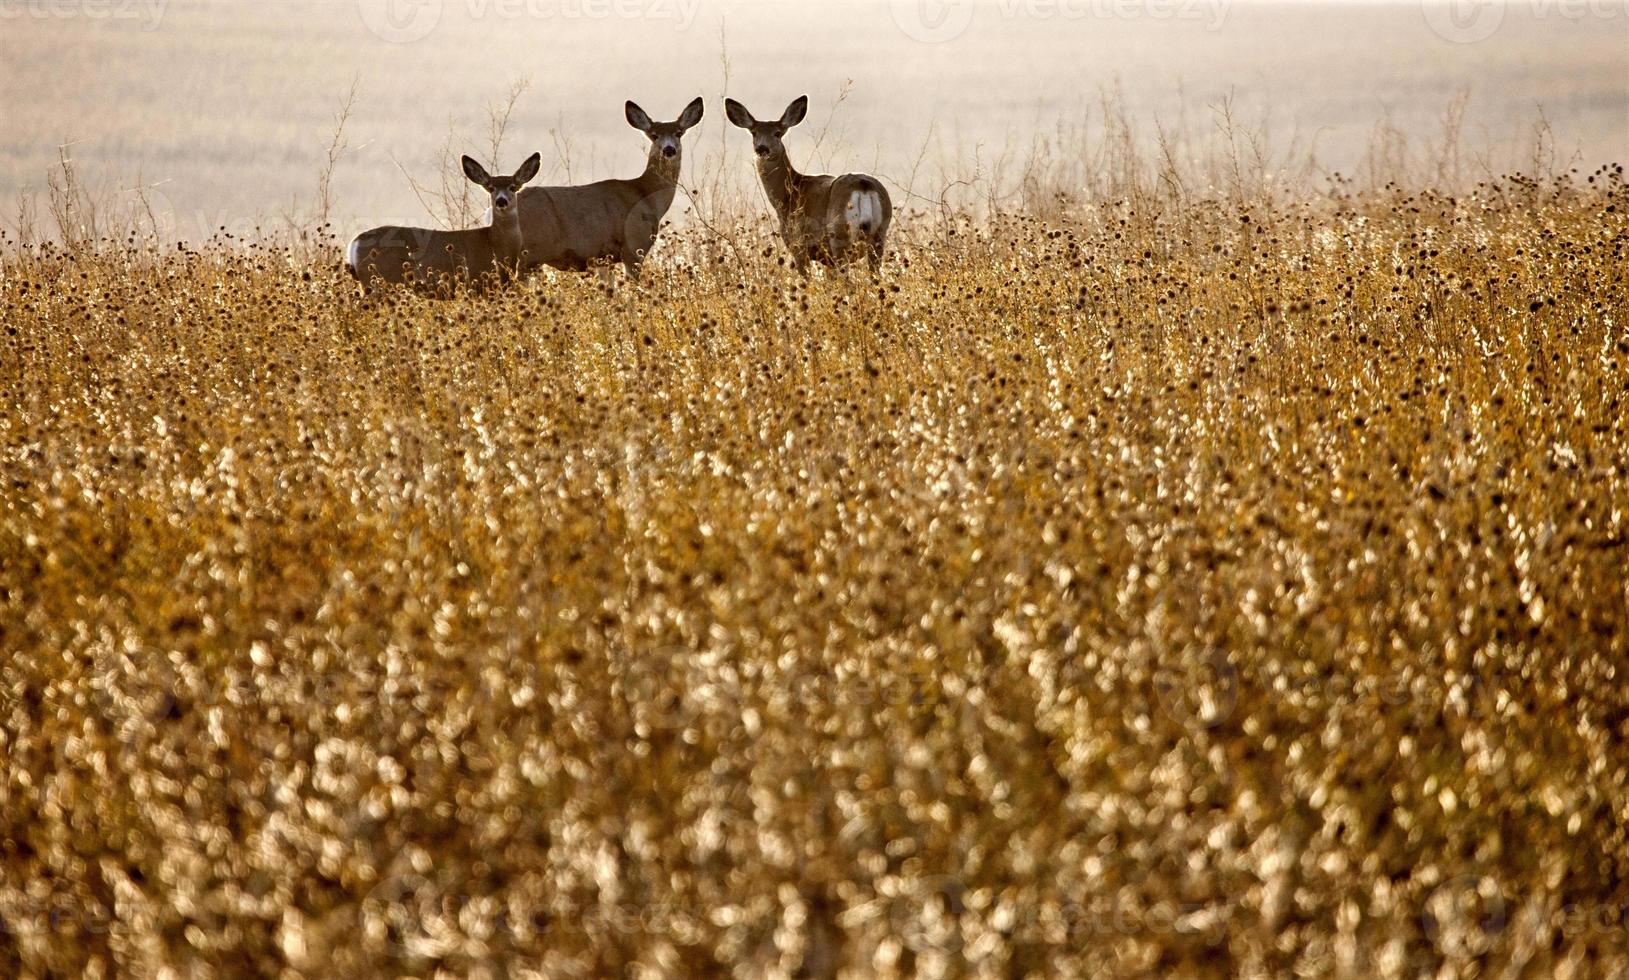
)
(1161, 587)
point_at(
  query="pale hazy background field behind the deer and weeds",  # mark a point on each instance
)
(226, 108)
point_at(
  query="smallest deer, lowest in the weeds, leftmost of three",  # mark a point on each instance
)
(436, 261)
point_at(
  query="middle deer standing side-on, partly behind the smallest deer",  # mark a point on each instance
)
(579, 227)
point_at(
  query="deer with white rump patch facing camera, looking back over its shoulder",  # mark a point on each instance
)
(823, 219)
